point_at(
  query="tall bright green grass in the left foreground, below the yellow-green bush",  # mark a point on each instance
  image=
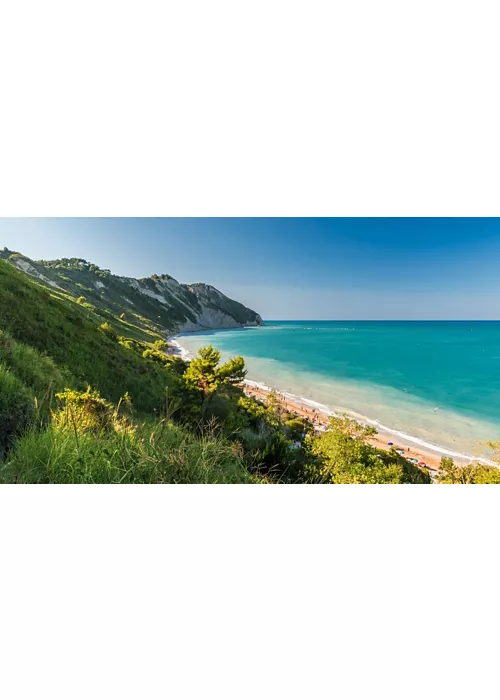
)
(154, 453)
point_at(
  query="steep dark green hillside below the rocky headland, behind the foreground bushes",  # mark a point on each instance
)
(70, 335)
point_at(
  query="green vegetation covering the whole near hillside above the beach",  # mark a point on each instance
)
(90, 397)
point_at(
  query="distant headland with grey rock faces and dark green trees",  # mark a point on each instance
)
(158, 302)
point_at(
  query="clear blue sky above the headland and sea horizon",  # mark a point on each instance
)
(296, 268)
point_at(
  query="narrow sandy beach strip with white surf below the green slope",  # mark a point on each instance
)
(414, 447)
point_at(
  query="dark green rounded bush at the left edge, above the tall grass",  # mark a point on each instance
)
(17, 408)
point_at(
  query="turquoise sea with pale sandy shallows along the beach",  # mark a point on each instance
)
(438, 382)
